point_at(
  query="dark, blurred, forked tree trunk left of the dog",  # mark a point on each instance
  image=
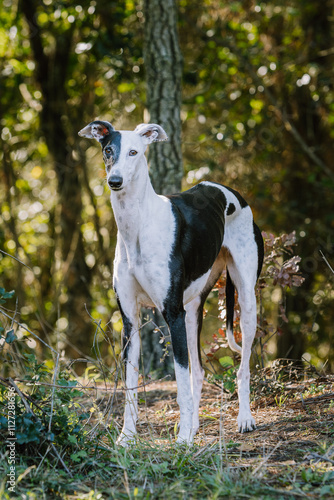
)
(51, 74)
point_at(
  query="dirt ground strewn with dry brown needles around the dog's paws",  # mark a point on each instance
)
(295, 419)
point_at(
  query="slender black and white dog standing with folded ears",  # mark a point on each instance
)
(170, 252)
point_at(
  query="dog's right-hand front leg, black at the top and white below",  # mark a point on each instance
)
(177, 327)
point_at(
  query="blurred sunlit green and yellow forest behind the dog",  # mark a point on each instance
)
(257, 114)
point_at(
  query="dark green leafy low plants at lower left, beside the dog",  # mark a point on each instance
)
(32, 430)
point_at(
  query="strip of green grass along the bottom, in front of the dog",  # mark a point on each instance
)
(150, 471)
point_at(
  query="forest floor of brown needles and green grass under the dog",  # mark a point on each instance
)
(289, 455)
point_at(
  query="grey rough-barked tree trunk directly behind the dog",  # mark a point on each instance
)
(163, 66)
